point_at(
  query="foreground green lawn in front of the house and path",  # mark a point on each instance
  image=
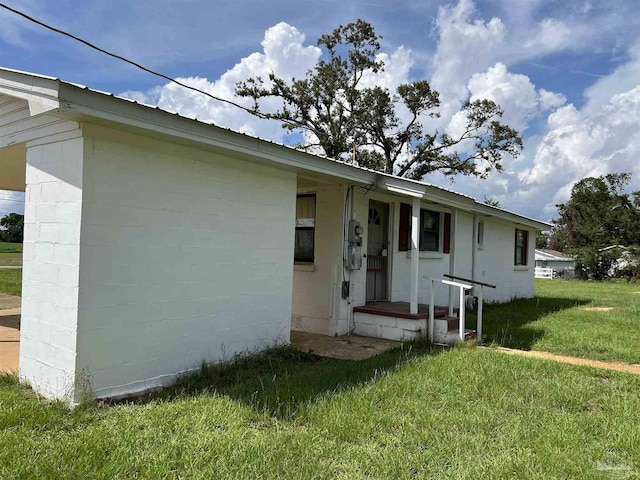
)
(464, 413)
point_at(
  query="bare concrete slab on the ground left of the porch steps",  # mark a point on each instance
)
(347, 347)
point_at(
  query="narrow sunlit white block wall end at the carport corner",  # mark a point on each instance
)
(53, 206)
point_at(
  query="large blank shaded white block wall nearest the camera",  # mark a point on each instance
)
(186, 256)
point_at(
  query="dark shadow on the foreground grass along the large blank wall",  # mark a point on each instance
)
(282, 380)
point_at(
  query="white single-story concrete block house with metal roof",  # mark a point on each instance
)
(154, 242)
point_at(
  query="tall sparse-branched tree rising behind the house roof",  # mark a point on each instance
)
(384, 129)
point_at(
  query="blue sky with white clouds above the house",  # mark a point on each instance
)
(567, 74)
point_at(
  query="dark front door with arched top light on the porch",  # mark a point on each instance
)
(377, 251)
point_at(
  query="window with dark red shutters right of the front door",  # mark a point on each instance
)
(434, 234)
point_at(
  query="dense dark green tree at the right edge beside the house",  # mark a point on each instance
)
(599, 214)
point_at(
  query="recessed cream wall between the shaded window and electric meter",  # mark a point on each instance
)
(316, 290)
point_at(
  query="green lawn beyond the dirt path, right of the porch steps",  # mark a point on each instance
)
(597, 320)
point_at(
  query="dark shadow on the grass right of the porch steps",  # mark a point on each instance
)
(508, 324)
